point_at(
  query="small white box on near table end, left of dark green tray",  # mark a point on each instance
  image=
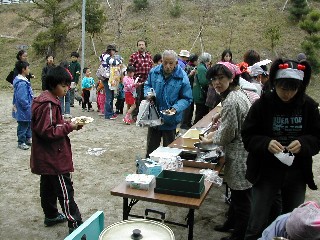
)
(140, 181)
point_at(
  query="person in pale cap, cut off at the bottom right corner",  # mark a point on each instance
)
(301, 224)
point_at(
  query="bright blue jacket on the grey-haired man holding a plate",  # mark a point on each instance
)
(174, 92)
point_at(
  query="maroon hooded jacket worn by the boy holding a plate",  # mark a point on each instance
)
(51, 149)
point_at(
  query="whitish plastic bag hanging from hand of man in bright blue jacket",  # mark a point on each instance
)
(148, 115)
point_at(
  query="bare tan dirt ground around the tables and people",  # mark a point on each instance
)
(21, 216)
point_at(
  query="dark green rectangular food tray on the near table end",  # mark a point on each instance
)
(180, 183)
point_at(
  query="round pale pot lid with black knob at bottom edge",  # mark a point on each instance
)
(137, 229)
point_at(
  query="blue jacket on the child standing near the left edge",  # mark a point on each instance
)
(22, 99)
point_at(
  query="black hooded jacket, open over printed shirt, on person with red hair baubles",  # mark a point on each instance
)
(257, 133)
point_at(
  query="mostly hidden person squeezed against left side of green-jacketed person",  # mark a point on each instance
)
(190, 69)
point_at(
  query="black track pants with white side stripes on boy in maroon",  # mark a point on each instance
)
(53, 187)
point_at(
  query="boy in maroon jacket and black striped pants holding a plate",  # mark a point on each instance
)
(51, 155)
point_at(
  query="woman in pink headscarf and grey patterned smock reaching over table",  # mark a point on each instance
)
(224, 77)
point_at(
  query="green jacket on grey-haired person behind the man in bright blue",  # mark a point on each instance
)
(200, 85)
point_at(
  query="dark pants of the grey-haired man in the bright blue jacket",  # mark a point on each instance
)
(154, 138)
